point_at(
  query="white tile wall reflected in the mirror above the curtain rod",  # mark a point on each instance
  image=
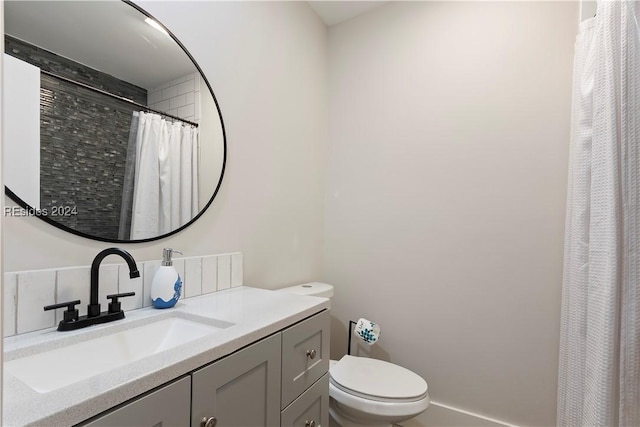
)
(179, 97)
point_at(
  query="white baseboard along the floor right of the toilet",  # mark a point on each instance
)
(441, 415)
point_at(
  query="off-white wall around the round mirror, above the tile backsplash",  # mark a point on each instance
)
(267, 65)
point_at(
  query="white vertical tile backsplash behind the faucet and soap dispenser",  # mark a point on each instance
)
(27, 292)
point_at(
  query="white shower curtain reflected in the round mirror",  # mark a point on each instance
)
(163, 171)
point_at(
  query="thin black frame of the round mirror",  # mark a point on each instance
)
(48, 220)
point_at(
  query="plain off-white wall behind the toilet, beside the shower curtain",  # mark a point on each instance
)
(448, 146)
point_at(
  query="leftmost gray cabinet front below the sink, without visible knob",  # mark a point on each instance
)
(165, 407)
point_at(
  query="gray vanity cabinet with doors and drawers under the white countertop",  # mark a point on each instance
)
(281, 380)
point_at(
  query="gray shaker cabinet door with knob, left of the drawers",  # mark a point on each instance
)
(241, 390)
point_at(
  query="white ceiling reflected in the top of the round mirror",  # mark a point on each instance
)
(105, 35)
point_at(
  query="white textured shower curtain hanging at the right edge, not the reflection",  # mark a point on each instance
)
(599, 371)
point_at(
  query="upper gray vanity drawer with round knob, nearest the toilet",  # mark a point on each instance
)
(305, 355)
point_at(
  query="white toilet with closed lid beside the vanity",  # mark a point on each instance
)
(368, 392)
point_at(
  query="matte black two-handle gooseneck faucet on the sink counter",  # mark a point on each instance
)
(72, 321)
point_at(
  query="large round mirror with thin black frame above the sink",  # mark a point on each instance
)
(110, 129)
